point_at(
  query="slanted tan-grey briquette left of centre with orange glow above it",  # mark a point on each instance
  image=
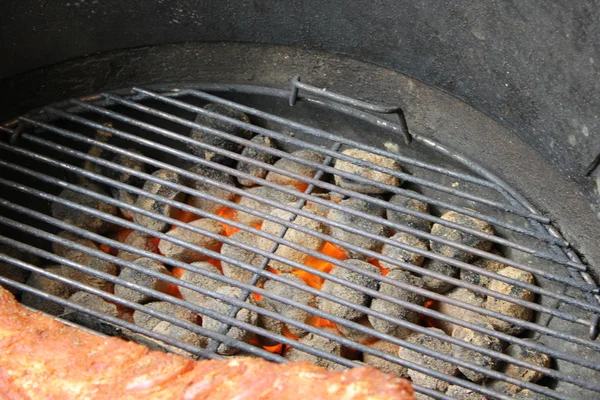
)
(188, 255)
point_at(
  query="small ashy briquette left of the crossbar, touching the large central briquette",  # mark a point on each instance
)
(242, 255)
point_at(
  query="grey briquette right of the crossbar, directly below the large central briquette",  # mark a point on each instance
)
(291, 293)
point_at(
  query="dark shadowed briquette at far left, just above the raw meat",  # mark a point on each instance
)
(49, 286)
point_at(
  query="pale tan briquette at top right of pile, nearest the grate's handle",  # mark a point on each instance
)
(365, 172)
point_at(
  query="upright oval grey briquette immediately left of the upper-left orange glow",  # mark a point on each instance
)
(157, 207)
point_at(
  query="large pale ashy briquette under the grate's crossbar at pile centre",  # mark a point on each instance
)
(294, 236)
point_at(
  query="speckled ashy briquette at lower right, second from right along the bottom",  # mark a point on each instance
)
(473, 357)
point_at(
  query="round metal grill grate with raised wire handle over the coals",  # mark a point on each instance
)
(47, 152)
